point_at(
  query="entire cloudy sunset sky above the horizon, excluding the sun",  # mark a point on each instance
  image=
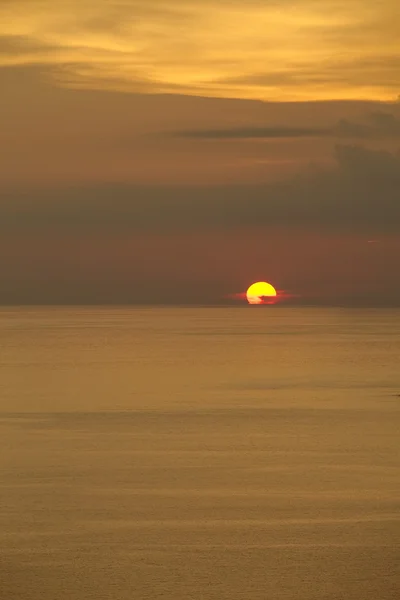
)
(176, 151)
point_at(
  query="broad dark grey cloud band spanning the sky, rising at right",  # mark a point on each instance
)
(361, 193)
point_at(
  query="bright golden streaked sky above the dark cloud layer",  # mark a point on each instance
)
(259, 49)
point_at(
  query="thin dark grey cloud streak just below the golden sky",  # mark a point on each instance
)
(377, 125)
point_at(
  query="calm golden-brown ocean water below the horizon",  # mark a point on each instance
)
(205, 454)
